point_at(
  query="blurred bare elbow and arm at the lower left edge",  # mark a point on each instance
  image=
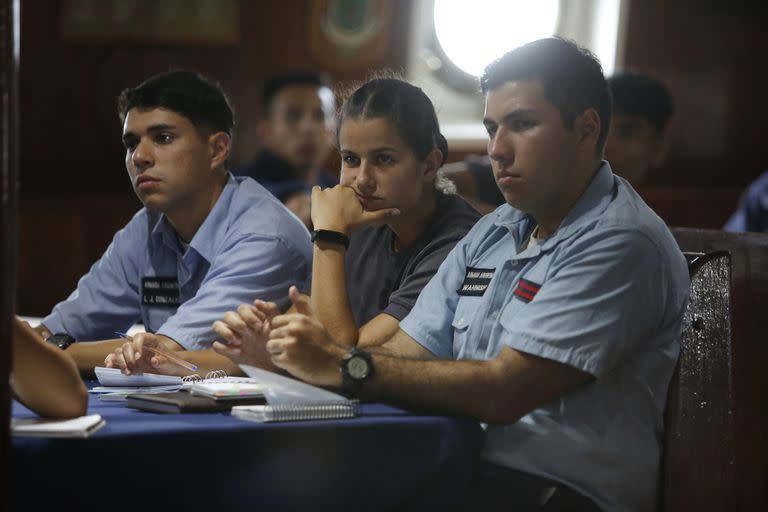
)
(44, 378)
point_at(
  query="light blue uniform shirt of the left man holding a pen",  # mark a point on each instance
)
(250, 246)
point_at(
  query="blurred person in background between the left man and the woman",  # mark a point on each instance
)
(297, 112)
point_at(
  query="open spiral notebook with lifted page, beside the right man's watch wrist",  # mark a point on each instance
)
(292, 400)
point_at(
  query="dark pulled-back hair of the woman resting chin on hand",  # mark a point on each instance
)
(405, 106)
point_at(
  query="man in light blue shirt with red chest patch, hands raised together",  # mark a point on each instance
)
(555, 321)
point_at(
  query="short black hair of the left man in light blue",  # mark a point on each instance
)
(187, 93)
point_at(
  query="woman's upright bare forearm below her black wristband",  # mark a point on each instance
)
(329, 297)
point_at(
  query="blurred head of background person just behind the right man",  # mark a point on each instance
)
(637, 140)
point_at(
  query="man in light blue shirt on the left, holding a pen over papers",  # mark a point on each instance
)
(204, 242)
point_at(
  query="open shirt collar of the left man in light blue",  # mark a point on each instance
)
(208, 234)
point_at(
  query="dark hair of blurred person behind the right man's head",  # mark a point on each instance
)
(637, 94)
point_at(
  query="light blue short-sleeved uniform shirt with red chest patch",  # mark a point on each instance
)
(605, 294)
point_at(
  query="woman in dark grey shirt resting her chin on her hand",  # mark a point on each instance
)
(382, 233)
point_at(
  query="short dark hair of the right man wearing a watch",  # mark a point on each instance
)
(572, 78)
